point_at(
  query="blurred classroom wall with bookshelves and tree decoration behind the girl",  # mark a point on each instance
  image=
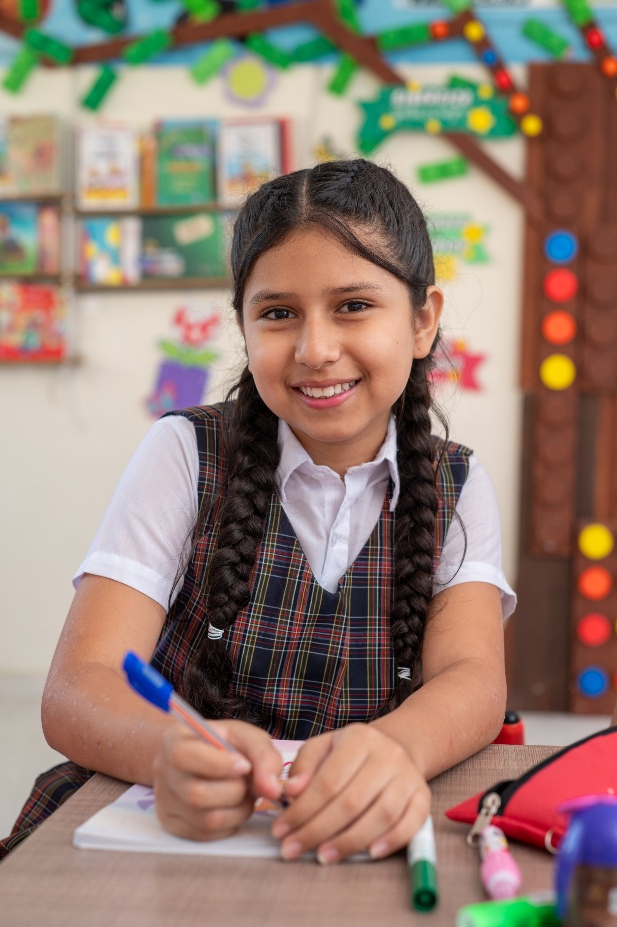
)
(129, 133)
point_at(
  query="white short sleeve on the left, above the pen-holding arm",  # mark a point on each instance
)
(146, 531)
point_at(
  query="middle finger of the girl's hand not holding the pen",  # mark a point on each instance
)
(345, 808)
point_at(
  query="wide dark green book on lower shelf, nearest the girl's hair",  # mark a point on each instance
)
(190, 246)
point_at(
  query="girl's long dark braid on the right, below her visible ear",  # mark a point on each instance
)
(414, 534)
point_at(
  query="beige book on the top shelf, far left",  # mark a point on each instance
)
(34, 146)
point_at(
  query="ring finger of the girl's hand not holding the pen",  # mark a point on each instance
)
(381, 818)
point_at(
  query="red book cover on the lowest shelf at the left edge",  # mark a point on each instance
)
(32, 323)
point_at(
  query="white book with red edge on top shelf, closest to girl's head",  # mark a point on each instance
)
(250, 152)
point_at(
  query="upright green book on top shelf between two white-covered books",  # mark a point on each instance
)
(185, 162)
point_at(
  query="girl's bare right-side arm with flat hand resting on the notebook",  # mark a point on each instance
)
(365, 785)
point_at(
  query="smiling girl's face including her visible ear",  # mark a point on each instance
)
(331, 338)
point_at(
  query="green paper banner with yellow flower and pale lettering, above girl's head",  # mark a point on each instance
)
(434, 109)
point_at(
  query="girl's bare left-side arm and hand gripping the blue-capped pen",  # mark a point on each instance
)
(92, 716)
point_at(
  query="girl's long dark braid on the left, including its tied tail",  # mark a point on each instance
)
(252, 451)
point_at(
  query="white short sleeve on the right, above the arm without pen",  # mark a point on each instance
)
(477, 510)
